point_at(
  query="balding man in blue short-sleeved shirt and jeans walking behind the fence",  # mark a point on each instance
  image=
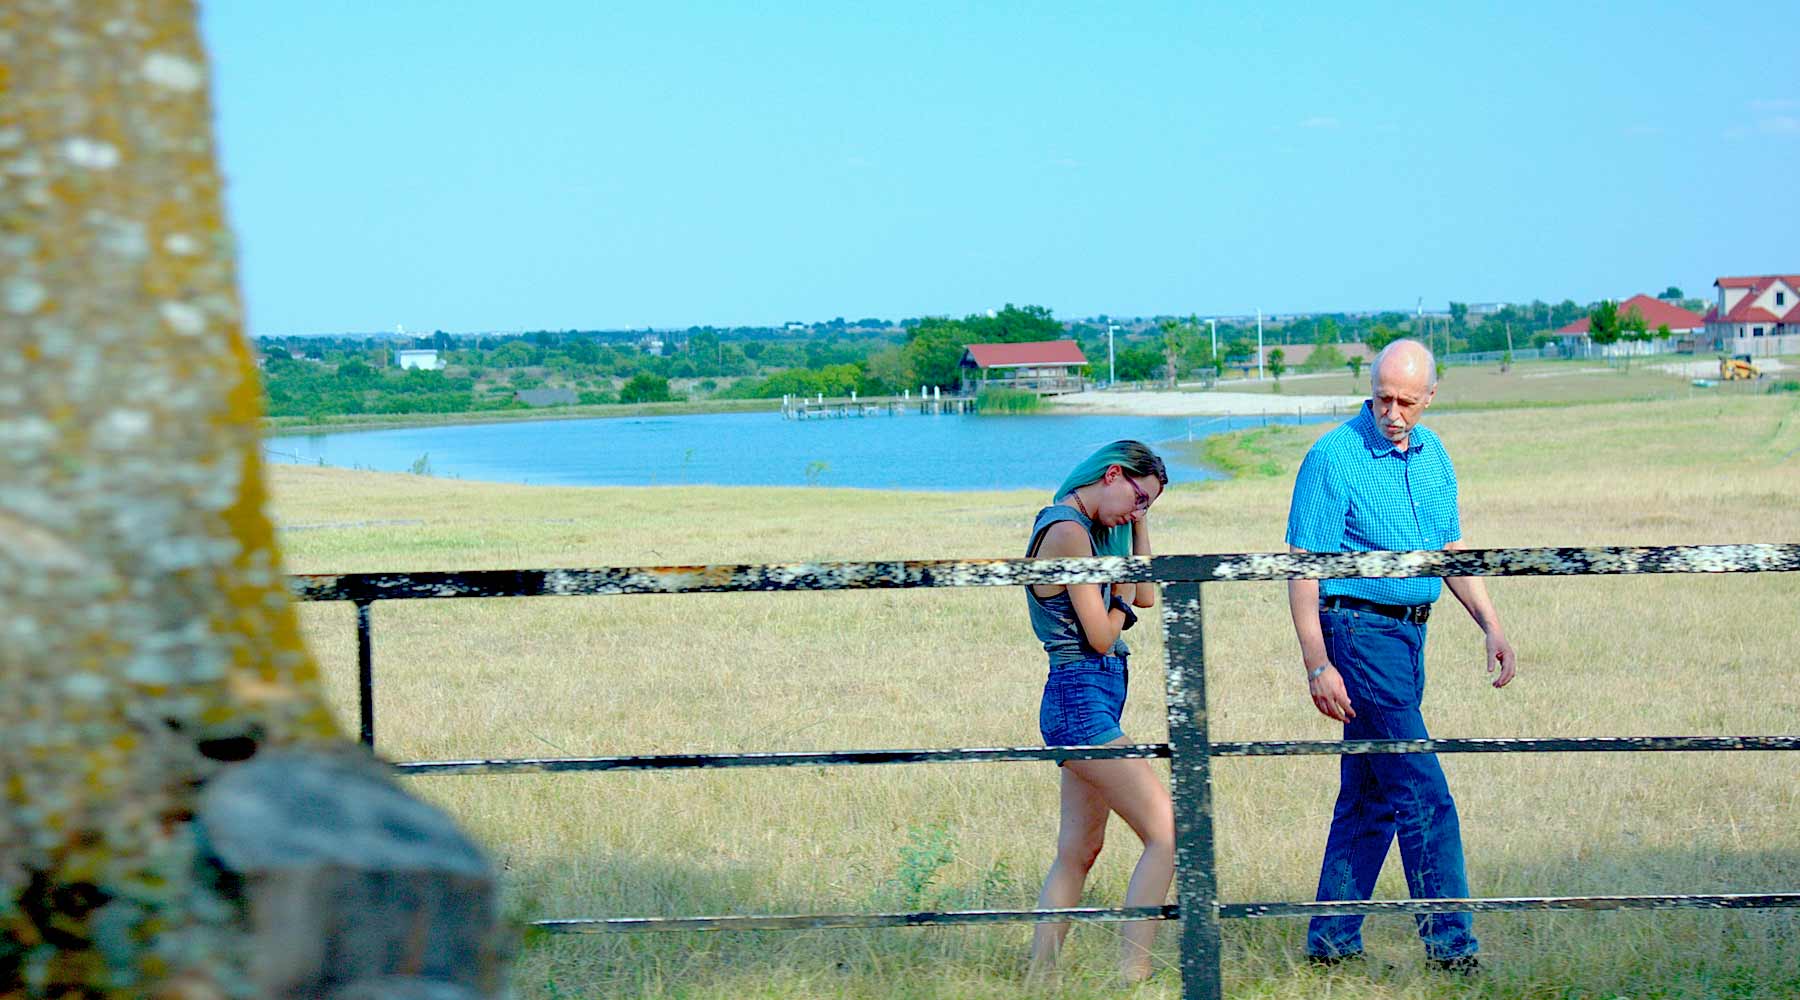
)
(1381, 481)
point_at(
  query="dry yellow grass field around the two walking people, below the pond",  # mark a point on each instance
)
(958, 668)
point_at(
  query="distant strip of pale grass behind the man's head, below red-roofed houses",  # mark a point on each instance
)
(1534, 384)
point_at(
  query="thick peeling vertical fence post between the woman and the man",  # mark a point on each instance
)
(1191, 767)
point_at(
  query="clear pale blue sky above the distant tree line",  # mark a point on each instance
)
(570, 165)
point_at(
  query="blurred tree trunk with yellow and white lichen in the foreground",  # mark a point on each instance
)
(147, 639)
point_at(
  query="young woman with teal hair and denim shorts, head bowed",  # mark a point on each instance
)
(1102, 510)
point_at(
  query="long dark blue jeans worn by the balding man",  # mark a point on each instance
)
(1387, 796)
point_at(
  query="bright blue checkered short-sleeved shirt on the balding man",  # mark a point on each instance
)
(1358, 494)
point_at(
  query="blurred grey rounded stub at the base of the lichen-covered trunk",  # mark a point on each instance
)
(350, 880)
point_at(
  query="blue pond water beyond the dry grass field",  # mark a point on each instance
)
(888, 452)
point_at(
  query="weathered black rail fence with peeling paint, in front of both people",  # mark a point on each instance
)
(1189, 749)
